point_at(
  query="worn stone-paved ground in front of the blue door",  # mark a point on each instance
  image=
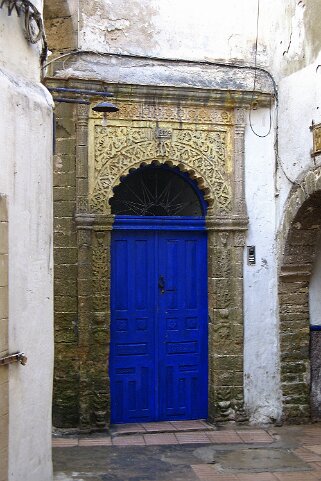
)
(190, 451)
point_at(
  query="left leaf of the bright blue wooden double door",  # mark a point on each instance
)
(132, 356)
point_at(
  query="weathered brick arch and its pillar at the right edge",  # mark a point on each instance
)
(300, 235)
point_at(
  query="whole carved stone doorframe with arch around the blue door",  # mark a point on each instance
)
(201, 133)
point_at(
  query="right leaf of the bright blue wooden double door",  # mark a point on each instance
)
(183, 326)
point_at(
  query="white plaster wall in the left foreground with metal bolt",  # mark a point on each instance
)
(25, 166)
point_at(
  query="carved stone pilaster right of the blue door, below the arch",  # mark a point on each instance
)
(225, 270)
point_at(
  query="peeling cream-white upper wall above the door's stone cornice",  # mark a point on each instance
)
(288, 31)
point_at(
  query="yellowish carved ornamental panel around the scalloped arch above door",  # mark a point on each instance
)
(203, 150)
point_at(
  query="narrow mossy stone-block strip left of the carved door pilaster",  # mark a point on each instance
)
(66, 377)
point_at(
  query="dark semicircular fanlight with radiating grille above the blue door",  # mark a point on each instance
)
(156, 191)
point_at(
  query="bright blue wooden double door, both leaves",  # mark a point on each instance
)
(159, 351)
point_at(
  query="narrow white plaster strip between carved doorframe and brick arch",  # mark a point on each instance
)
(261, 358)
